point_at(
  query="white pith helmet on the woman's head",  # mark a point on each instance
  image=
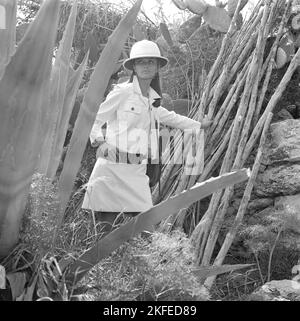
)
(144, 49)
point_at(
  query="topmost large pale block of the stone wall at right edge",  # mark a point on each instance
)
(283, 143)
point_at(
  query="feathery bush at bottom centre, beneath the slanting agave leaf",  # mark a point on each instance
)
(154, 268)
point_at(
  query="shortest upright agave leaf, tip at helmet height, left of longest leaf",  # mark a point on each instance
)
(74, 80)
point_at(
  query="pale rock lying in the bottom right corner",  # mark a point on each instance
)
(283, 290)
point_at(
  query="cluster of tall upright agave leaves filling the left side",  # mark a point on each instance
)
(36, 101)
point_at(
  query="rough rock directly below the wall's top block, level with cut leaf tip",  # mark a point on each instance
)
(278, 181)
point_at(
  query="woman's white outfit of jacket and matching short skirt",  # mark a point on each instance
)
(121, 187)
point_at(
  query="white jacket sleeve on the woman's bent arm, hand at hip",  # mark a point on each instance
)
(105, 113)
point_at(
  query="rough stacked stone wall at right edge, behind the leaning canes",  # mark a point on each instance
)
(276, 193)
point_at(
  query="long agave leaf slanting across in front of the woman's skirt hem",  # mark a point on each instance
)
(147, 219)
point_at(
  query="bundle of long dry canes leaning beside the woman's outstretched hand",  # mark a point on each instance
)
(232, 96)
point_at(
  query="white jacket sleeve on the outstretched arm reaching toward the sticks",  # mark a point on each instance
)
(170, 118)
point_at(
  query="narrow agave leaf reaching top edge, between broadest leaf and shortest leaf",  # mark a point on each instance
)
(49, 160)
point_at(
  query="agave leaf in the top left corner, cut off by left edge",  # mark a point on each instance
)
(7, 32)
